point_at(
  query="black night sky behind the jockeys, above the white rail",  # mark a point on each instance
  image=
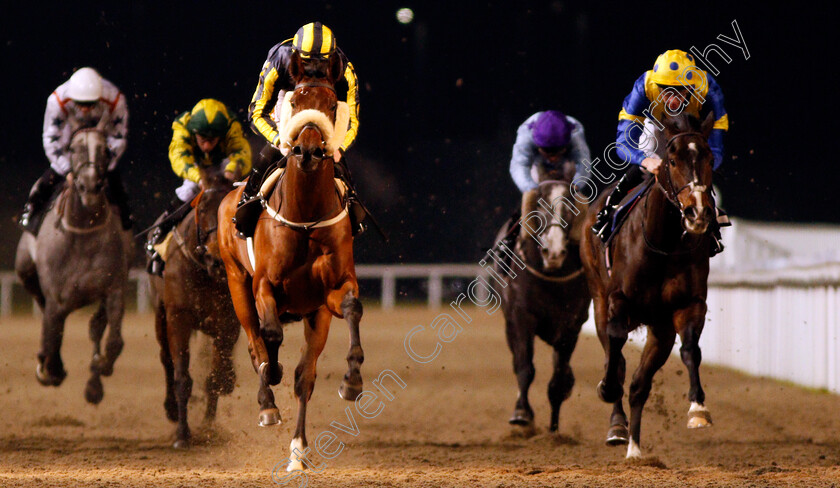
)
(441, 98)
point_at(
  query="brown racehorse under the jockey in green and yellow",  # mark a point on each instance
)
(193, 295)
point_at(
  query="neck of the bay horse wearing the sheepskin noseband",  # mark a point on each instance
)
(307, 197)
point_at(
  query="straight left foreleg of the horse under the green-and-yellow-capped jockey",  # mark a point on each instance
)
(179, 350)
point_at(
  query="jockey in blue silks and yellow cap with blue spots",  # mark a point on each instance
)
(675, 83)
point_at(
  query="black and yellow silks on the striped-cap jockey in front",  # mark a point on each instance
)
(274, 78)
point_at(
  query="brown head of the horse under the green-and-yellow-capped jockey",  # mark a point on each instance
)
(206, 205)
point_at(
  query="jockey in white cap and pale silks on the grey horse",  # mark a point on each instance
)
(86, 100)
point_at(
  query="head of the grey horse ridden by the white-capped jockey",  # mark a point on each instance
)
(88, 165)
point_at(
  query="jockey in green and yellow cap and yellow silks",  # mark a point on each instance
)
(207, 136)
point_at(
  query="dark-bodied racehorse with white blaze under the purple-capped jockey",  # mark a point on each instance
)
(549, 299)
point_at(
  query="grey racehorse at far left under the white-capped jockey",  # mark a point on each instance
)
(80, 256)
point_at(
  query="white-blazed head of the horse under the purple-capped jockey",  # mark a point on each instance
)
(551, 237)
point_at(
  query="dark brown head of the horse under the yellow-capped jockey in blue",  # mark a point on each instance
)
(686, 172)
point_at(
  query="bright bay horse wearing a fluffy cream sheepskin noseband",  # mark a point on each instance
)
(303, 255)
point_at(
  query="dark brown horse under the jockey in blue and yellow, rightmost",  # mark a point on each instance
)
(658, 276)
